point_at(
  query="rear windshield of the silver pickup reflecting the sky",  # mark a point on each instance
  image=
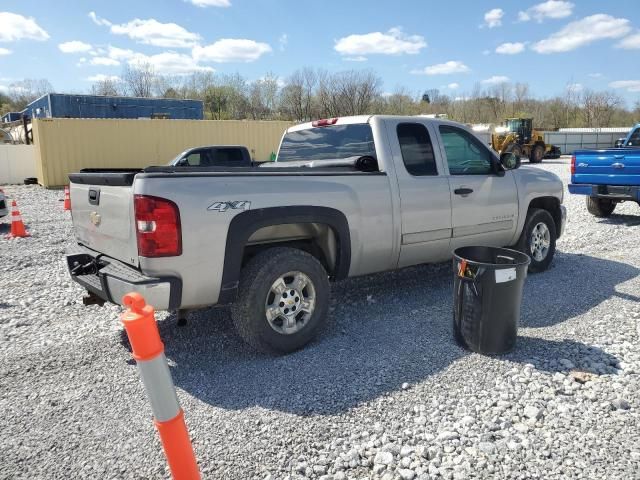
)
(327, 143)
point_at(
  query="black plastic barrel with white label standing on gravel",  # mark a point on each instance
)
(487, 293)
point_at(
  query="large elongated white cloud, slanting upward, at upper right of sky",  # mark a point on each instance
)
(583, 32)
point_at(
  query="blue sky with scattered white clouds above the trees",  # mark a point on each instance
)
(418, 44)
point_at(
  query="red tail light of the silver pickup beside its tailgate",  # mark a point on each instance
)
(157, 227)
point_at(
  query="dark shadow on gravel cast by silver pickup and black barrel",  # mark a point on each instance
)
(384, 330)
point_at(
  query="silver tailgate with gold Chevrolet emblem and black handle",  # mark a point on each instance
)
(103, 216)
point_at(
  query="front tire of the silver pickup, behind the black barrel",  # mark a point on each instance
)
(528, 243)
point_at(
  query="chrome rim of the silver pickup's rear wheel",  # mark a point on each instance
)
(290, 303)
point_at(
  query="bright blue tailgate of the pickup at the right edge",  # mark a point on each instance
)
(620, 166)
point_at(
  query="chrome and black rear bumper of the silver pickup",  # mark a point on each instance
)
(111, 279)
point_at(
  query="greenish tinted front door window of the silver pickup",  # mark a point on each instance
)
(466, 155)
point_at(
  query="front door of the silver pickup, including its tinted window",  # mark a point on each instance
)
(484, 205)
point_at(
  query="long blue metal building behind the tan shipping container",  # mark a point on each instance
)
(58, 105)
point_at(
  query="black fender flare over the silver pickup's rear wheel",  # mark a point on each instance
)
(245, 224)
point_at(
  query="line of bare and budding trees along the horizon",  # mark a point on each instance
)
(310, 93)
